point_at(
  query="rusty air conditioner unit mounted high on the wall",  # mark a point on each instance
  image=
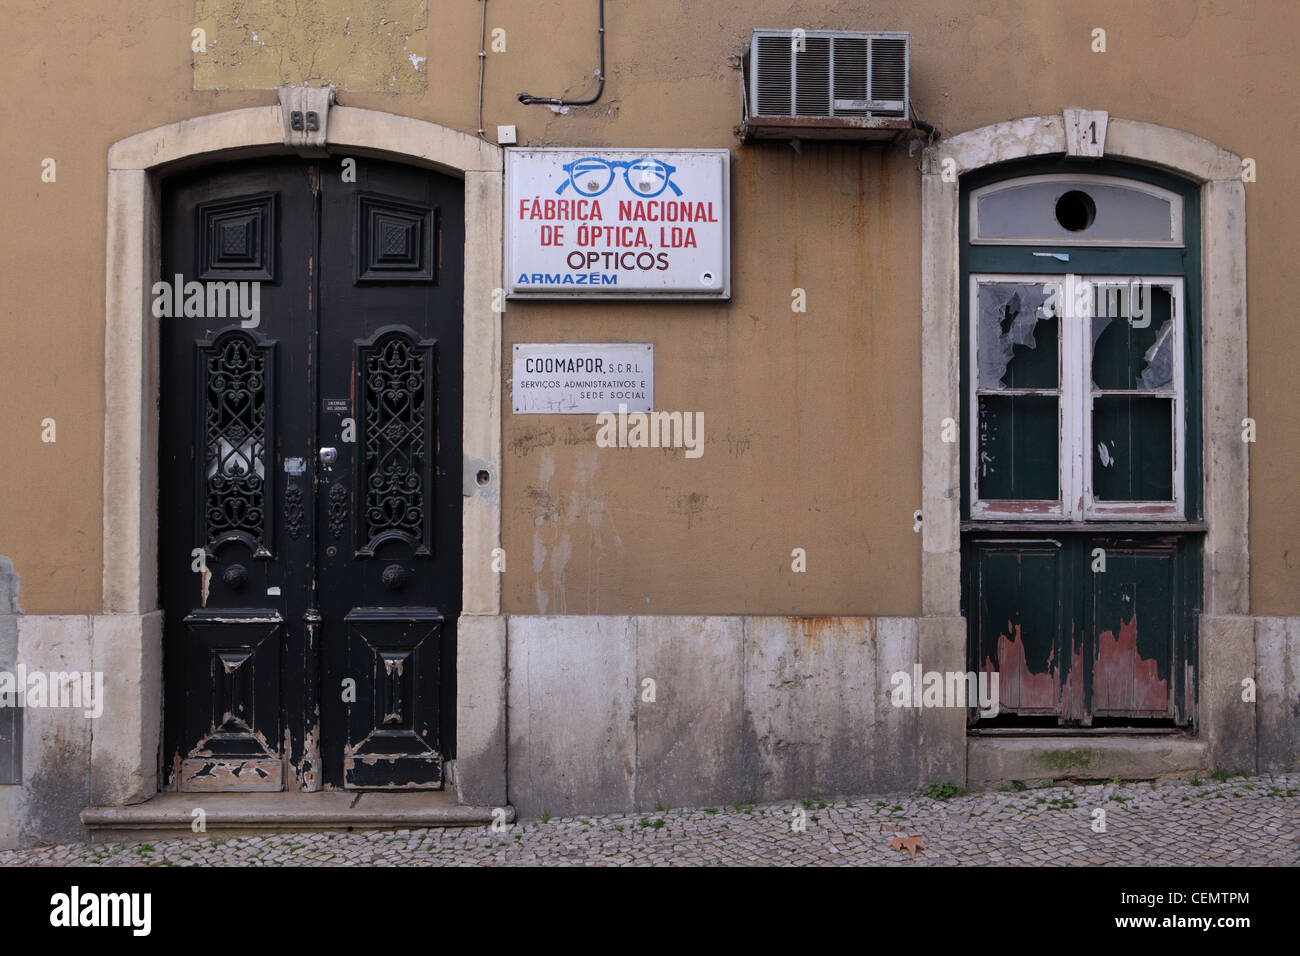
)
(826, 84)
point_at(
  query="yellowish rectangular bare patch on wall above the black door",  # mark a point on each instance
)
(378, 46)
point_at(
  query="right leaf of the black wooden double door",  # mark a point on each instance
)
(392, 258)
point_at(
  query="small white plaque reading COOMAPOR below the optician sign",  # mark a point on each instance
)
(583, 379)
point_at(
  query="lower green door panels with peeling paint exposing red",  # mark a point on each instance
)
(1082, 626)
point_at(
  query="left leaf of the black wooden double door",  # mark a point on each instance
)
(235, 410)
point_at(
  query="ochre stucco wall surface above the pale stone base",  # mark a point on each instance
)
(812, 421)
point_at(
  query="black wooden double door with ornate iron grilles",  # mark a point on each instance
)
(310, 474)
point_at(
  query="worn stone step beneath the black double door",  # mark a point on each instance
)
(171, 816)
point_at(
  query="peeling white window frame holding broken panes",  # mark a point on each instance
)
(1077, 396)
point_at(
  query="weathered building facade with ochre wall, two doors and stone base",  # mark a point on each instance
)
(296, 533)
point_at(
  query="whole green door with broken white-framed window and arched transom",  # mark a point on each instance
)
(1081, 456)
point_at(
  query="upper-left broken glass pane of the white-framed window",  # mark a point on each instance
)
(1016, 338)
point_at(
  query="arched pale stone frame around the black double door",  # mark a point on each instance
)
(128, 635)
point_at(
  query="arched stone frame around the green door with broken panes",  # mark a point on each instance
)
(1227, 633)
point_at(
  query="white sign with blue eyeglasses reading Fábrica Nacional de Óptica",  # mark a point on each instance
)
(618, 223)
